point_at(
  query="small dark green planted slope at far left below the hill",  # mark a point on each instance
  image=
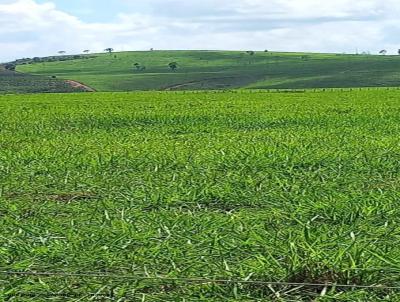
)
(12, 82)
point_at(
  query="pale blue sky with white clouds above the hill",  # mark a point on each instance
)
(31, 28)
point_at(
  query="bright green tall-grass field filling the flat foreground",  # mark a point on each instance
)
(181, 196)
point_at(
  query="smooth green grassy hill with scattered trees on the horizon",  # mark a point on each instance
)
(224, 70)
